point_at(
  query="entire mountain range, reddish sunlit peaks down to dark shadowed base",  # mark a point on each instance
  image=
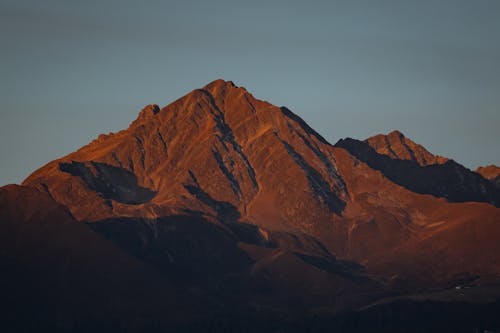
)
(223, 212)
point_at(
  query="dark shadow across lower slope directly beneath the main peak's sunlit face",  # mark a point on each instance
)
(239, 263)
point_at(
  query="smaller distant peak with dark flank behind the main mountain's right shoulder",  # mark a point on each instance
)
(420, 171)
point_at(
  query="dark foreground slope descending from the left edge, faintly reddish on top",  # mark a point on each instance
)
(60, 275)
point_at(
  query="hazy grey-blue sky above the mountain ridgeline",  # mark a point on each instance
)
(70, 70)
